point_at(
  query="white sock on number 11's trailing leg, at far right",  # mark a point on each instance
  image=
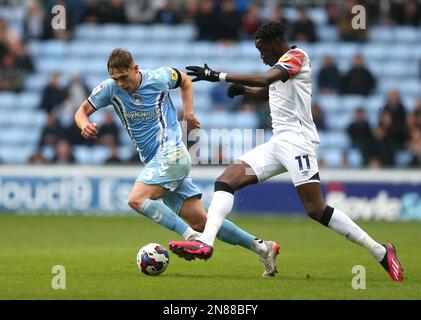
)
(341, 223)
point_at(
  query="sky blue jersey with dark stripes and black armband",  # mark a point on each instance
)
(147, 113)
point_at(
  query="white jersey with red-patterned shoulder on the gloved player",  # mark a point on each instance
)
(290, 101)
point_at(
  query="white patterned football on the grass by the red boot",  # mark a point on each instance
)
(152, 259)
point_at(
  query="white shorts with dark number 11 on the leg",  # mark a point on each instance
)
(286, 151)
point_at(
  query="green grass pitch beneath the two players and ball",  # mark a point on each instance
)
(98, 254)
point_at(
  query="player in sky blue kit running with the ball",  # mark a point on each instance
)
(142, 102)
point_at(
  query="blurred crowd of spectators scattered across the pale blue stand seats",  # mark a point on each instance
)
(226, 21)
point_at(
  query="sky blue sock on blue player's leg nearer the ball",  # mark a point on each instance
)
(163, 215)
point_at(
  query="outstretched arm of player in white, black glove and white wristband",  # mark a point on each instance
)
(263, 79)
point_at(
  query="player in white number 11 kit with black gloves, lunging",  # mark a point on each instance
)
(293, 148)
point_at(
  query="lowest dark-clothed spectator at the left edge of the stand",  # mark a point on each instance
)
(11, 77)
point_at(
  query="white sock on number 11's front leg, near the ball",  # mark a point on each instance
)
(219, 208)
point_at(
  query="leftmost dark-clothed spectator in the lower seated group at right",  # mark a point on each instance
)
(360, 133)
